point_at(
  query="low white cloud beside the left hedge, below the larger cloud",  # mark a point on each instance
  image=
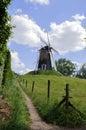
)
(15, 61)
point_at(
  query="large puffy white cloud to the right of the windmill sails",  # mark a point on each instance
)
(67, 36)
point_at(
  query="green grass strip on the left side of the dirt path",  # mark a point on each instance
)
(20, 118)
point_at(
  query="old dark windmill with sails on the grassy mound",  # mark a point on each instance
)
(46, 59)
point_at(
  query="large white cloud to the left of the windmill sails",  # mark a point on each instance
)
(26, 32)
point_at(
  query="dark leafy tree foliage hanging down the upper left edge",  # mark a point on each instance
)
(5, 27)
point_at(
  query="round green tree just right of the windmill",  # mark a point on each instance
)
(66, 67)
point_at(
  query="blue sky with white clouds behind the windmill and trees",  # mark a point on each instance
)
(63, 20)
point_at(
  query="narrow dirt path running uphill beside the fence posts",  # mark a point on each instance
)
(37, 123)
